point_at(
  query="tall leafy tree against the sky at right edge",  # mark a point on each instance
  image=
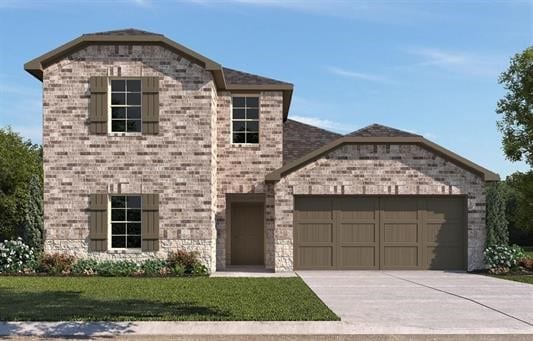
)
(517, 108)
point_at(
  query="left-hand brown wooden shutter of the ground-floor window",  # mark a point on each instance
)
(98, 222)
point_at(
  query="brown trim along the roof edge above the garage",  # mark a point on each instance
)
(314, 155)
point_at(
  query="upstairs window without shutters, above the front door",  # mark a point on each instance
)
(245, 119)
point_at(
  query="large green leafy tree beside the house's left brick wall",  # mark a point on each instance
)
(21, 184)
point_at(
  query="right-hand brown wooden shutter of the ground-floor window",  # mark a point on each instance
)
(150, 222)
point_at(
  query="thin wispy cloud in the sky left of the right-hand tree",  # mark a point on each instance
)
(466, 63)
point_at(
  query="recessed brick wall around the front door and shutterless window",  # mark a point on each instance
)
(242, 168)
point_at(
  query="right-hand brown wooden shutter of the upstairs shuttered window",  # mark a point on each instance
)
(150, 105)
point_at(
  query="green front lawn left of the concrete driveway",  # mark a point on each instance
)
(183, 299)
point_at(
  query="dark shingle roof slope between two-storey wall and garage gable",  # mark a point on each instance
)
(300, 139)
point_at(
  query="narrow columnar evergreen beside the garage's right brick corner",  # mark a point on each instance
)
(497, 224)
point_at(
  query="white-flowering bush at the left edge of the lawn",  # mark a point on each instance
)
(17, 257)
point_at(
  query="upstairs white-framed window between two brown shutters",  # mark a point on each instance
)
(126, 105)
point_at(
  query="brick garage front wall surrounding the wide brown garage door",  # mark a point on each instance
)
(384, 170)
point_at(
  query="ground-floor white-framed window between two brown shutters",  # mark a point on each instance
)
(125, 222)
